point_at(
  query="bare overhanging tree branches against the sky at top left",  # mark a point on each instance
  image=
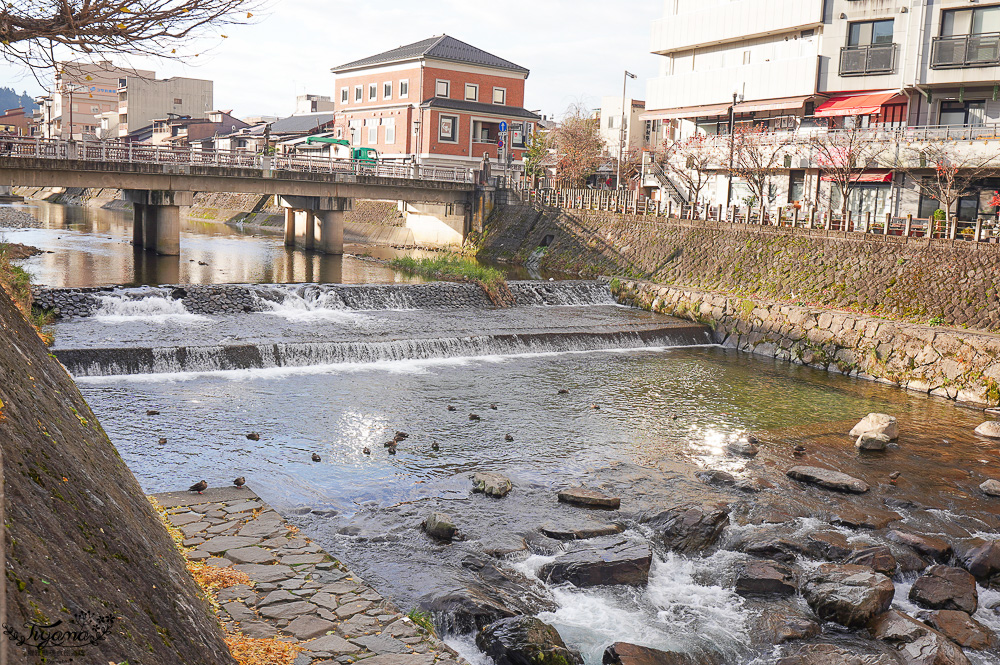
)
(37, 32)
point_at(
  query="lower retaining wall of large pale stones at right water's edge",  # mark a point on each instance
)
(957, 365)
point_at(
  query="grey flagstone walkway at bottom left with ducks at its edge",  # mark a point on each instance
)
(299, 590)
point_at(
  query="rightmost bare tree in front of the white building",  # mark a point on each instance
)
(954, 171)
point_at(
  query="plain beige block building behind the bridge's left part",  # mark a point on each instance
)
(143, 99)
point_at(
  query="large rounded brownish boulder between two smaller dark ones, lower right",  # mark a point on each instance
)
(848, 594)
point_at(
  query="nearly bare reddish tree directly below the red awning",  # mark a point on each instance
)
(845, 154)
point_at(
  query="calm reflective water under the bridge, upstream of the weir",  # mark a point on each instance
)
(92, 247)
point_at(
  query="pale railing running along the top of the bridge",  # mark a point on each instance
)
(138, 153)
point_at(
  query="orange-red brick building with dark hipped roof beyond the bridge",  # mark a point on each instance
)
(439, 99)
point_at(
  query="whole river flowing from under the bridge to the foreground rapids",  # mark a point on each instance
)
(648, 404)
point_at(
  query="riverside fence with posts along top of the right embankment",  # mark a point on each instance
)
(631, 202)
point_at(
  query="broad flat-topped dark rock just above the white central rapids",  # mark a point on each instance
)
(601, 562)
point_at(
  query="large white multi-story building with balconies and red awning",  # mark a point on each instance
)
(807, 66)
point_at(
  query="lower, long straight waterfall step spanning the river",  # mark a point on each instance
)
(160, 360)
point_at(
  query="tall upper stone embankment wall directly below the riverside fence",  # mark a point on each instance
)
(916, 280)
